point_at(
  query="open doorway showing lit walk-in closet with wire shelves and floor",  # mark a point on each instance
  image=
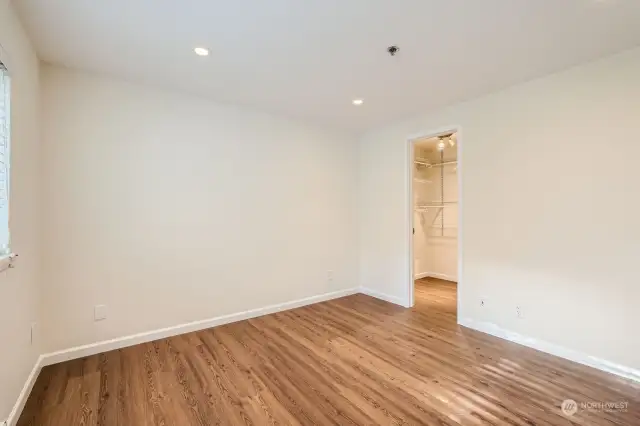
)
(435, 222)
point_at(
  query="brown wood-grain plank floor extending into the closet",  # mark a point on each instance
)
(350, 361)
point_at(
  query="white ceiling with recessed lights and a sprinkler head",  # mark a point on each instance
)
(309, 58)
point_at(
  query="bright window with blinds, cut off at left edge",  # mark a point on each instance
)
(4, 160)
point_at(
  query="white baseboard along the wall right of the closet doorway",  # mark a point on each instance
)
(551, 348)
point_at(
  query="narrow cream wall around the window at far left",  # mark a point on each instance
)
(18, 287)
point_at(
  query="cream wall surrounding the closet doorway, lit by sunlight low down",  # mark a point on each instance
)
(543, 228)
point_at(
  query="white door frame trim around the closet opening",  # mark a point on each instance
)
(410, 300)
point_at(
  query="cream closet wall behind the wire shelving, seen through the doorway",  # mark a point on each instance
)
(436, 228)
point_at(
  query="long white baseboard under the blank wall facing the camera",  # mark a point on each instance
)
(148, 336)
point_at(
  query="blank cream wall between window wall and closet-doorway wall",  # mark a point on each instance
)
(168, 208)
